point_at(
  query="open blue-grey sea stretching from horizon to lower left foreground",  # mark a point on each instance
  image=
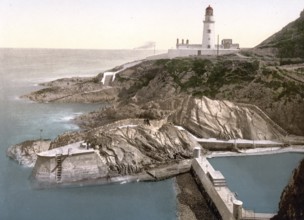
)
(21, 71)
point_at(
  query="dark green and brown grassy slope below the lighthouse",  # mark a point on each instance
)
(246, 81)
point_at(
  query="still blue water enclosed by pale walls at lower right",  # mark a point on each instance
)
(258, 180)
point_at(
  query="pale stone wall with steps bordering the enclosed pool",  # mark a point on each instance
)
(220, 197)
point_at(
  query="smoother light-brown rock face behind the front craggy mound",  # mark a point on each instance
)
(225, 120)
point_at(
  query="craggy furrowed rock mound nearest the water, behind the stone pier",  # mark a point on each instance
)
(131, 148)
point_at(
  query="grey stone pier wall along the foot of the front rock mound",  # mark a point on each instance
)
(44, 173)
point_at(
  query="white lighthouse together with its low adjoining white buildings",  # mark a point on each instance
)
(209, 46)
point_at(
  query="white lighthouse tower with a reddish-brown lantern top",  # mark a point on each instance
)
(208, 34)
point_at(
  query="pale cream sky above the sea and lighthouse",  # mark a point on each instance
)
(127, 24)
